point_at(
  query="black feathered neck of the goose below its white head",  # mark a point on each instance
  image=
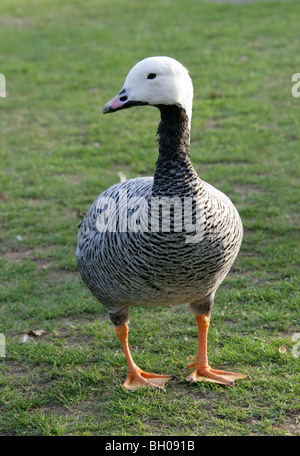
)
(174, 171)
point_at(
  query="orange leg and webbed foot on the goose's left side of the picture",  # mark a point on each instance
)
(135, 376)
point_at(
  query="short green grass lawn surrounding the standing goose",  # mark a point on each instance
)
(62, 62)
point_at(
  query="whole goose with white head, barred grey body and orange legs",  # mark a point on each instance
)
(165, 240)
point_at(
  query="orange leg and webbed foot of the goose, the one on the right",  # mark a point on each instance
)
(202, 371)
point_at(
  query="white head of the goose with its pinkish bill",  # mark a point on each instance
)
(155, 81)
